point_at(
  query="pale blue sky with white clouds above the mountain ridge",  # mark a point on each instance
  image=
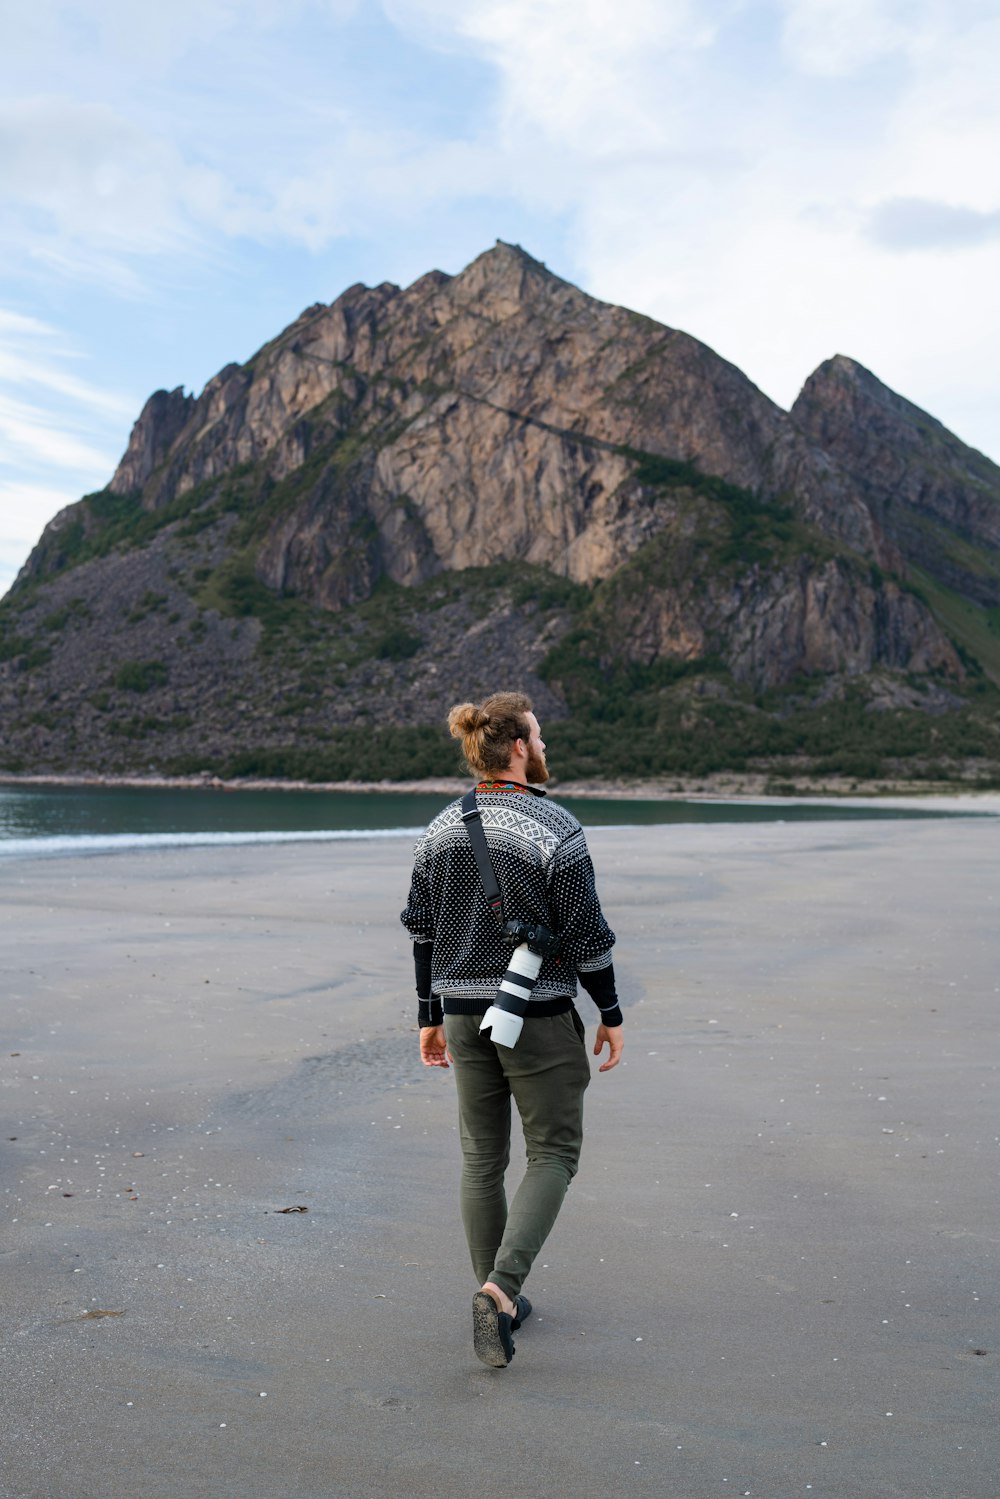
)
(783, 179)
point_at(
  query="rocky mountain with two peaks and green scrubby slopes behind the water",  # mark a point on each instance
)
(412, 495)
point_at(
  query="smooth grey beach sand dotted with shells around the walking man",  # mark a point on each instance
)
(774, 1275)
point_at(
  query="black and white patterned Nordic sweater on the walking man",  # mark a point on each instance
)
(545, 875)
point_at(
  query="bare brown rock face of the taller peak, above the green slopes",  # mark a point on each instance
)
(496, 410)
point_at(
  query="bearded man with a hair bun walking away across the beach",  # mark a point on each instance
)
(487, 953)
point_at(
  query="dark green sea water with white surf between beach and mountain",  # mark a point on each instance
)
(61, 821)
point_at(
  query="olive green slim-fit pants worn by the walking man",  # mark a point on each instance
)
(546, 1074)
